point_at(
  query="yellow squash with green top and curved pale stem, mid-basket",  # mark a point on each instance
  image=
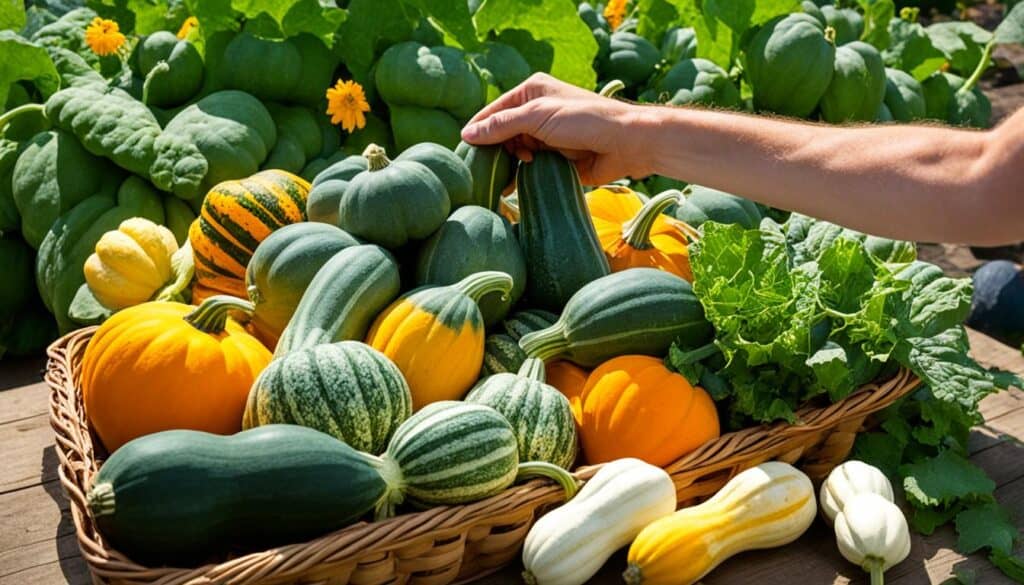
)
(436, 337)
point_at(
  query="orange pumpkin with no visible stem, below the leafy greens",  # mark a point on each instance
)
(634, 407)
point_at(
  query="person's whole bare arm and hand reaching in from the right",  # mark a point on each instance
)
(913, 183)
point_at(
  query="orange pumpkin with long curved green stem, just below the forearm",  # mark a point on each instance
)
(635, 234)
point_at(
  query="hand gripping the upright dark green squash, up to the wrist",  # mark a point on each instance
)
(601, 135)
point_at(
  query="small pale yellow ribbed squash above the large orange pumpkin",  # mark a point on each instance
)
(137, 263)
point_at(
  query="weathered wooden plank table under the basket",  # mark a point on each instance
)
(38, 546)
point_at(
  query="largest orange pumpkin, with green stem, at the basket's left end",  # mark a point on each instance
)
(159, 366)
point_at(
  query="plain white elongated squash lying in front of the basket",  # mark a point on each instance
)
(569, 546)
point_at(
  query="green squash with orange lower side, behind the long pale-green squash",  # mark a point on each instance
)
(283, 267)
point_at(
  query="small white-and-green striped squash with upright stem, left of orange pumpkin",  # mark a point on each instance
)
(540, 415)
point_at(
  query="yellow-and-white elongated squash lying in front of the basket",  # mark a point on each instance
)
(763, 508)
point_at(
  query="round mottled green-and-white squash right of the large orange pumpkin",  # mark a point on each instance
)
(348, 390)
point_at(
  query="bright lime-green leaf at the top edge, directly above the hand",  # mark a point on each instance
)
(541, 28)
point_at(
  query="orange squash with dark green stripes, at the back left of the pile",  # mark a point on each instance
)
(237, 216)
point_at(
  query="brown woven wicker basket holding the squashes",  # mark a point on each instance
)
(442, 546)
